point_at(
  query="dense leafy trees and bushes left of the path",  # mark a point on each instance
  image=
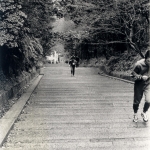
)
(25, 33)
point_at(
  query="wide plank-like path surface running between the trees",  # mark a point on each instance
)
(85, 112)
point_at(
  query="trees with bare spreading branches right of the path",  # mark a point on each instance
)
(108, 27)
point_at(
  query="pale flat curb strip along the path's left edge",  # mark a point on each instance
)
(8, 120)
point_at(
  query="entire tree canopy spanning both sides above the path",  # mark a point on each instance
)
(106, 27)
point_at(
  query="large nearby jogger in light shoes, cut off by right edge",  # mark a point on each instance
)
(141, 74)
